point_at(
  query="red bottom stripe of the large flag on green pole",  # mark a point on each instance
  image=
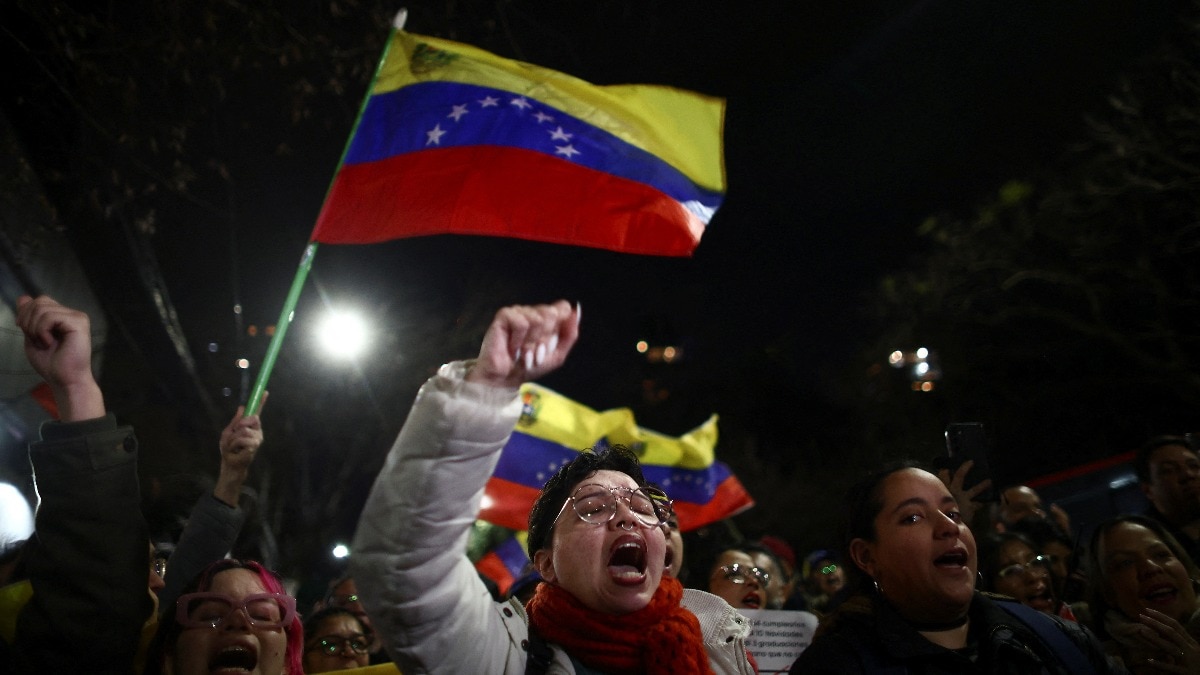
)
(502, 193)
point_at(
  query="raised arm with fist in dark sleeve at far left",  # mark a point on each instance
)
(88, 559)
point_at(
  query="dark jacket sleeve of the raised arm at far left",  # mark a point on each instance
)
(88, 559)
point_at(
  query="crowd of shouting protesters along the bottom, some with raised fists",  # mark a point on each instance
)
(927, 580)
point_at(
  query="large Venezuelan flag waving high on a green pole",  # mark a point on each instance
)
(458, 141)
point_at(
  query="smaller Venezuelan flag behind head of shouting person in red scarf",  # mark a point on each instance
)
(554, 429)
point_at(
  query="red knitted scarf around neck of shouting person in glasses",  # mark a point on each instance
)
(663, 637)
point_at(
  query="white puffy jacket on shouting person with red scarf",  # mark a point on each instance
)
(410, 563)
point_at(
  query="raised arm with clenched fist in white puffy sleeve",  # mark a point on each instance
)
(410, 560)
